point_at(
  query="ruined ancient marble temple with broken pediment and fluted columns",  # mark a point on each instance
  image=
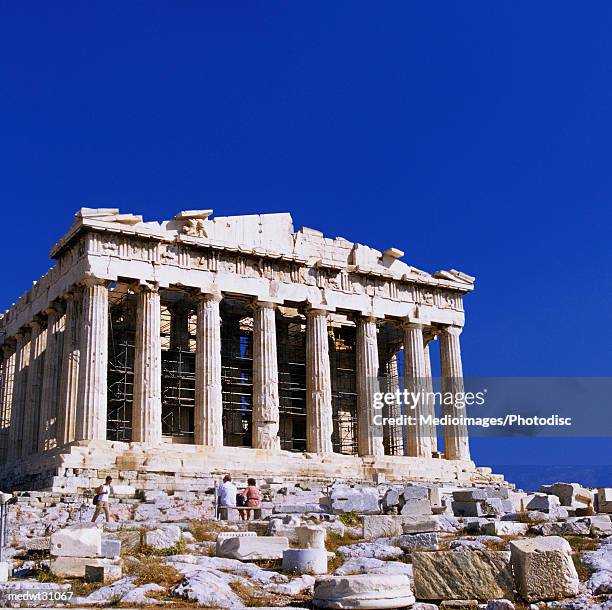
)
(169, 352)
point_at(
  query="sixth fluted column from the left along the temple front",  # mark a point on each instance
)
(369, 435)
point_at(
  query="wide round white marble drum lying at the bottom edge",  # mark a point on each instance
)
(363, 591)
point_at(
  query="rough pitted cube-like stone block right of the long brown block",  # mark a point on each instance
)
(543, 568)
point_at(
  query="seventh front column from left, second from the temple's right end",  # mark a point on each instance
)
(418, 437)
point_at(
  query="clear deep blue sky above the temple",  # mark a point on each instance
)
(471, 135)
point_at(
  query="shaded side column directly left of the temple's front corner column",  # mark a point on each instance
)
(69, 379)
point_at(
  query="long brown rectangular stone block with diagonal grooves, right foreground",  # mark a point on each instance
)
(482, 575)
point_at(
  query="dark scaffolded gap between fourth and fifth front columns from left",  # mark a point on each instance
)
(291, 349)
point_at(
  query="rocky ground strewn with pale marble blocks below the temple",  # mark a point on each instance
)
(385, 546)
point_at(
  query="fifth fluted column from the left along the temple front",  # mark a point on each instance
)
(319, 421)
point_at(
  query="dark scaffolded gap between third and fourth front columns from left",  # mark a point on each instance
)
(237, 372)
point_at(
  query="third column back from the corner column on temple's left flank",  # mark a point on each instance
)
(38, 343)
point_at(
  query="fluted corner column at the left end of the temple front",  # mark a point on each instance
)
(92, 397)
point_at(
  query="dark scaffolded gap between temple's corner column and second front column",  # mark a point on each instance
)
(121, 336)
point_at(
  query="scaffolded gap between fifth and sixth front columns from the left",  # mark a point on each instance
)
(343, 364)
